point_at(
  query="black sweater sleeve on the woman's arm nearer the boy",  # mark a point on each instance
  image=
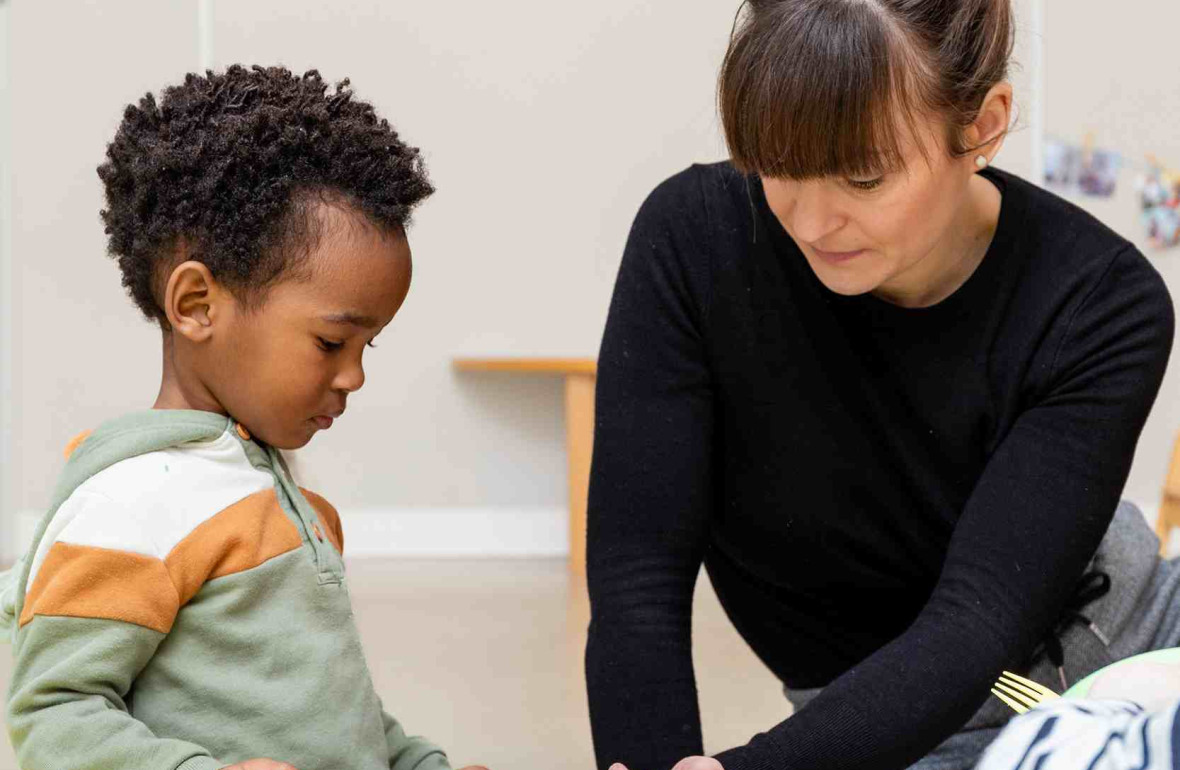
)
(651, 493)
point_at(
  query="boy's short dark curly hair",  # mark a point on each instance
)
(231, 166)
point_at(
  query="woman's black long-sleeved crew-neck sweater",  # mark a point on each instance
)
(894, 504)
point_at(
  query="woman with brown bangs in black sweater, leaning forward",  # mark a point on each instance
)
(888, 396)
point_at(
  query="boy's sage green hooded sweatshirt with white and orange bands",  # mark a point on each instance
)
(185, 607)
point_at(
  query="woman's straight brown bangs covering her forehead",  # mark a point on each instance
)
(823, 93)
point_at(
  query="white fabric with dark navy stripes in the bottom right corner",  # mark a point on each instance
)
(1089, 735)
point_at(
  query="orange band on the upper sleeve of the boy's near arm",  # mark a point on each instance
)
(86, 582)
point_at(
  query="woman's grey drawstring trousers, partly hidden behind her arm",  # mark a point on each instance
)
(1142, 613)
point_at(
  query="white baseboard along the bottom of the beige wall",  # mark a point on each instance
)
(476, 532)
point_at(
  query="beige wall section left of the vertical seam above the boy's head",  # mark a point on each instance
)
(78, 351)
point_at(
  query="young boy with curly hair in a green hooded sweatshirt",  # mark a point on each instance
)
(185, 603)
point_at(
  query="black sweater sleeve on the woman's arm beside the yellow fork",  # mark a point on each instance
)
(1032, 524)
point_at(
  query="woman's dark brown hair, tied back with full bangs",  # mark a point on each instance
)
(830, 88)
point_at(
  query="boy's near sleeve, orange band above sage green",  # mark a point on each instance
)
(91, 622)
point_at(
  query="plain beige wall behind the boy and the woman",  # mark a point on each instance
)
(545, 126)
